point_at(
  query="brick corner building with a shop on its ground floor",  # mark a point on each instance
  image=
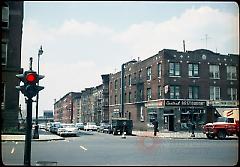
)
(176, 87)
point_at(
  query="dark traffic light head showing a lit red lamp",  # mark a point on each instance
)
(30, 80)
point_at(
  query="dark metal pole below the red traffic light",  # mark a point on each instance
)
(28, 136)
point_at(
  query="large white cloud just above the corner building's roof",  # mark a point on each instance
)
(147, 38)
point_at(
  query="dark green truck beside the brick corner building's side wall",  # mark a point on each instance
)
(121, 125)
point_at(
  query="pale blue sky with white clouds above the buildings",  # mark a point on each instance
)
(83, 40)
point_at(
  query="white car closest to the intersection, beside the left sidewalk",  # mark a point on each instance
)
(67, 130)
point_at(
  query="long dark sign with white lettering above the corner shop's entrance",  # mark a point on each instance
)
(184, 103)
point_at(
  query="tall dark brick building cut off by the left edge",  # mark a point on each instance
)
(11, 26)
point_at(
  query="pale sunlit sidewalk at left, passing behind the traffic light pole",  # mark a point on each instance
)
(22, 138)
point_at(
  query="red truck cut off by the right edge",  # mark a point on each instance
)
(227, 125)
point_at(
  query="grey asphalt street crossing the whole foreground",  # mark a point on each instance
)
(94, 148)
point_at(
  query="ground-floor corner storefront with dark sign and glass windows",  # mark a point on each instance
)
(177, 115)
